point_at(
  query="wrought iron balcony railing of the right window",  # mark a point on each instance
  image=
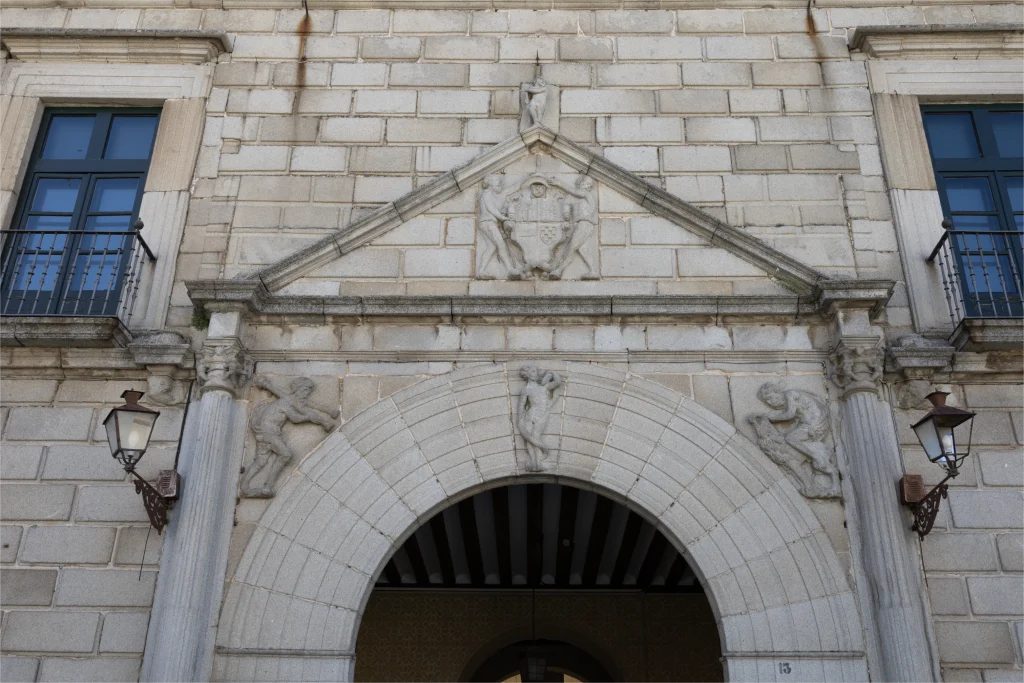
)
(982, 273)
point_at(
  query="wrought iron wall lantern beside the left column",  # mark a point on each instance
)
(129, 431)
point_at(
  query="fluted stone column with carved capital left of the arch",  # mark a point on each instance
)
(180, 646)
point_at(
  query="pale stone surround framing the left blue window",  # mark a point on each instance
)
(182, 91)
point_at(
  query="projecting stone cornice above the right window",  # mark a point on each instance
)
(941, 41)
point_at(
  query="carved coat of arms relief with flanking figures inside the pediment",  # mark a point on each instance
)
(537, 228)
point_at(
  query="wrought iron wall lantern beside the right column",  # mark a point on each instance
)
(937, 434)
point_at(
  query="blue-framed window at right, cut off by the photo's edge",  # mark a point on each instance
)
(978, 157)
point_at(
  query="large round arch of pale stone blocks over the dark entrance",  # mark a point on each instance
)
(780, 594)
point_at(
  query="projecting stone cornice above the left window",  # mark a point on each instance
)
(115, 47)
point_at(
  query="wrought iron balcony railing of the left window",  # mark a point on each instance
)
(72, 273)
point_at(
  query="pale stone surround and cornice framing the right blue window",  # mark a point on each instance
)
(900, 84)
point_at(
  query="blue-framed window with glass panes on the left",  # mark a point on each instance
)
(71, 245)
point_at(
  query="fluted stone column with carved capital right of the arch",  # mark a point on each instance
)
(889, 558)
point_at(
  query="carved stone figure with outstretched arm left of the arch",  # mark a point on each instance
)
(268, 423)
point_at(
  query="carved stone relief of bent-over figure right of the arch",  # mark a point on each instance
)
(794, 436)
